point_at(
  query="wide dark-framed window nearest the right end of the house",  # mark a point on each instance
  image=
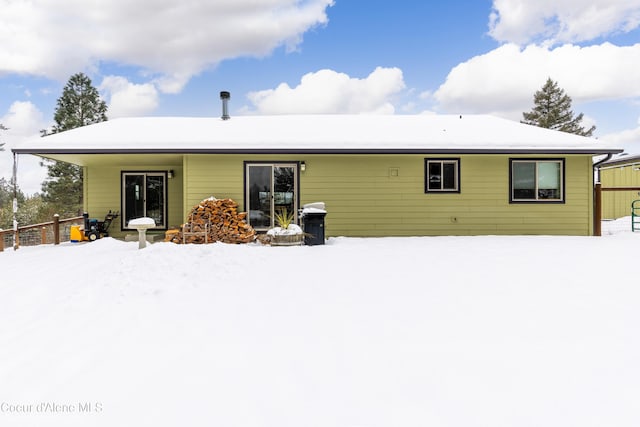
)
(537, 180)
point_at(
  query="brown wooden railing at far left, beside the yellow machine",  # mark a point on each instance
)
(55, 231)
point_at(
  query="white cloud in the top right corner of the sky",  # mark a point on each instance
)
(561, 21)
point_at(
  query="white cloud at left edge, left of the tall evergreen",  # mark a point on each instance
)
(24, 121)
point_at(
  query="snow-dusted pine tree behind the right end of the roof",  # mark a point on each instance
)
(552, 110)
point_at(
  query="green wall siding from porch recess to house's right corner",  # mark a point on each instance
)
(364, 199)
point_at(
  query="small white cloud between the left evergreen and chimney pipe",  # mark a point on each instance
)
(128, 99)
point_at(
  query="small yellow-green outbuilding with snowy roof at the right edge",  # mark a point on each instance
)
(620, 180)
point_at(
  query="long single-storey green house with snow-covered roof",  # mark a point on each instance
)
(394, 175)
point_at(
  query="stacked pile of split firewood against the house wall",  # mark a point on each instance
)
(214, 220)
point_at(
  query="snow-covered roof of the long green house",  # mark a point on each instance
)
(315, 134)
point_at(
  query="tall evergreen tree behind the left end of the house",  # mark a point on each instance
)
(79, 105)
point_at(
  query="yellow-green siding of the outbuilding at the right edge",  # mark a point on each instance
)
(617, 204)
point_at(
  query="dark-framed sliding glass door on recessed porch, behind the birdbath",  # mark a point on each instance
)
(144, 194)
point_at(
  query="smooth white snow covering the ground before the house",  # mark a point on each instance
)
(430, 331)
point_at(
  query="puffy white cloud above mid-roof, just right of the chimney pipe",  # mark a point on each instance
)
(330, 92)
